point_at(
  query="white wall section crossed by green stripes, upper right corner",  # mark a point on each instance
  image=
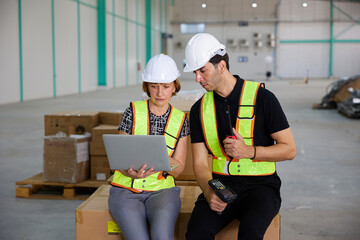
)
(297, 59)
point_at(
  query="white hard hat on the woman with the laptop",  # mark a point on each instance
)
(160, 69)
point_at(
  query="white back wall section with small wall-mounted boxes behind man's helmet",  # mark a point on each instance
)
(256, 66)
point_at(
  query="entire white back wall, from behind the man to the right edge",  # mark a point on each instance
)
(302, 41)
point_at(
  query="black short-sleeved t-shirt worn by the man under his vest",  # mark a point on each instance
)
(269, 118)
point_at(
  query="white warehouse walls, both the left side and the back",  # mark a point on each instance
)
(73, 51)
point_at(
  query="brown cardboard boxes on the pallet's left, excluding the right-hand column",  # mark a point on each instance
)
(66, 146)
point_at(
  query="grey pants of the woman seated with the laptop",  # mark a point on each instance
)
(134, 211)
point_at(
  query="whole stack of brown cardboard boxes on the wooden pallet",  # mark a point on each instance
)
(73, 146)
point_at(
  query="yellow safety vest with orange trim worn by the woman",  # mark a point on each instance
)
(141, 126)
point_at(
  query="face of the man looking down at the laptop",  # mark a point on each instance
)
(208, 76)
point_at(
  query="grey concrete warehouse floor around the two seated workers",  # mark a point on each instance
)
(321, 194)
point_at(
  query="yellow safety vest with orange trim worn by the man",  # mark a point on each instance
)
(221, 163)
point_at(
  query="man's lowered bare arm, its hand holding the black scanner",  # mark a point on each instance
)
(203, 175)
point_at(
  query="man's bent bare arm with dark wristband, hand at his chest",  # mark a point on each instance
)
(283, 149)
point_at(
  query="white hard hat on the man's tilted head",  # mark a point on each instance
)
(200, 49)
